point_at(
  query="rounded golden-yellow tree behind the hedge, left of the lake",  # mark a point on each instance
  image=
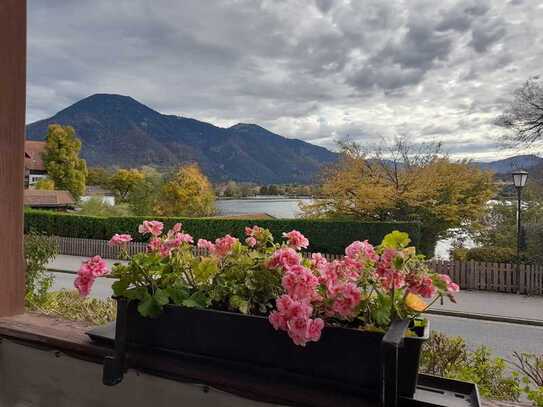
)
(188, 193)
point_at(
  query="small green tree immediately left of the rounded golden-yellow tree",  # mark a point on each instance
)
(143, 198)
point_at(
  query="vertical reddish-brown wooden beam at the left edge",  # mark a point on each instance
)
(12, 130)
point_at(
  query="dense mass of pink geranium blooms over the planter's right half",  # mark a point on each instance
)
(317, 290)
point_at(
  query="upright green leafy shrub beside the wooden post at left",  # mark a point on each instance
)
(39, 250)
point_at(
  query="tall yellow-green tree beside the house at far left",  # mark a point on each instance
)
(62, 162)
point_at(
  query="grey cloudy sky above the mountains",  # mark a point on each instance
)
(319, 70)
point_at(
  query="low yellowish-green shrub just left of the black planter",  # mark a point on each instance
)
(69, 305)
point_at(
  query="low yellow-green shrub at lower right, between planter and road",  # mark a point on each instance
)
(449, 357)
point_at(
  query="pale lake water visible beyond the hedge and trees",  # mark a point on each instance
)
(280, 207)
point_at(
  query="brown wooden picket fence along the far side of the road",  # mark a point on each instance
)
(469, 275)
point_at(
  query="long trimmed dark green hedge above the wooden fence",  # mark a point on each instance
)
(327, 236)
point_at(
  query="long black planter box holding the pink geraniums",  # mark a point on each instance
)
(348, 357)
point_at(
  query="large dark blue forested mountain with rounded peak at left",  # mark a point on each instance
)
(117, 130)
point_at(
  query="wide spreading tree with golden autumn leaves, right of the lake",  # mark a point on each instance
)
(404, 183)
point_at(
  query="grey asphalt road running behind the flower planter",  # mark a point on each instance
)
(502, 338)
